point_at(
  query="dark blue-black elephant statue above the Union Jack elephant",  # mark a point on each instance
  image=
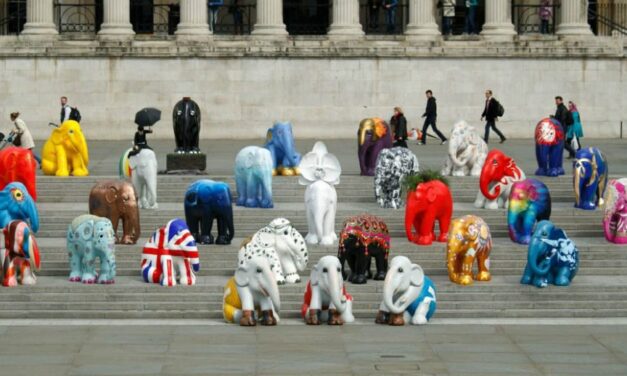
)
(206, 200)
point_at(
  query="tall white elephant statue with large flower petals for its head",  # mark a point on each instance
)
(320, 171)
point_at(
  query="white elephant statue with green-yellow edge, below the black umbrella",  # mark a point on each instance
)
(144, 177)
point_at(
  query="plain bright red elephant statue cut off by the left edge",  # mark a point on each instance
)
(18, 164)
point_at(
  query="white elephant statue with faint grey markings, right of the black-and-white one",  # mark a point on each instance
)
(467, 151)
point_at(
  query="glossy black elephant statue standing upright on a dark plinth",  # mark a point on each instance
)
(186, 122)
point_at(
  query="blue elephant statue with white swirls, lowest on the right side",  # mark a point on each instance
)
(552, 257)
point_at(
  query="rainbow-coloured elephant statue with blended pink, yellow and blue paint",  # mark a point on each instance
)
(529, 202)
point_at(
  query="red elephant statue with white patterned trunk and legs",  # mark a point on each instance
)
(498, 174)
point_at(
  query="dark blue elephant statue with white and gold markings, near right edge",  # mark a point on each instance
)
(590, 172)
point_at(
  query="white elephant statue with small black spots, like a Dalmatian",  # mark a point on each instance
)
(283, 246)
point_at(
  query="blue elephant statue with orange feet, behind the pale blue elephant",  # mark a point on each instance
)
(280, 142)
